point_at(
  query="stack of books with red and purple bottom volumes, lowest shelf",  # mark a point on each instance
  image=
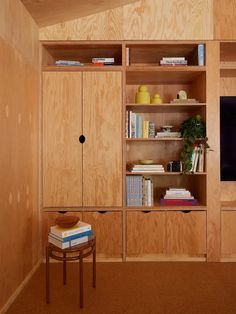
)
(178, 197)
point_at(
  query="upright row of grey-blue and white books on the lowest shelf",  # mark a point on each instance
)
(139, 191)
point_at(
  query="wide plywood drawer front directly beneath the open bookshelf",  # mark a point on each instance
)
(166, 235)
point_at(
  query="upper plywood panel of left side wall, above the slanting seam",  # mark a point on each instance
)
(19, 29)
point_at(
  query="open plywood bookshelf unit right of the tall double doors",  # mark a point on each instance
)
(143, 68)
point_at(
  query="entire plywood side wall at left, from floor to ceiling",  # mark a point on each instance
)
(19, 97)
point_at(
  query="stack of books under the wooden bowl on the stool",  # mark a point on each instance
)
(69, 237)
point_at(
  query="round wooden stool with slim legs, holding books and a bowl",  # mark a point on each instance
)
(79, 252)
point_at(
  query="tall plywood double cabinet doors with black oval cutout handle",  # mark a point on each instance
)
(82, 139)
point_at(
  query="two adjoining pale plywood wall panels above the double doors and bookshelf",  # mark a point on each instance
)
(145, 19)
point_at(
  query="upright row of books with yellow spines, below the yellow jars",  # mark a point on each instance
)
(137, 127)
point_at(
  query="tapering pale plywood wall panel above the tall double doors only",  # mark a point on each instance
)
(102, 26)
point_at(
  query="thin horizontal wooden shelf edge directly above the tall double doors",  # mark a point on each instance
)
(82, 68)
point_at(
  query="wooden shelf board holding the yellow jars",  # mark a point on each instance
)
(165, 107)
